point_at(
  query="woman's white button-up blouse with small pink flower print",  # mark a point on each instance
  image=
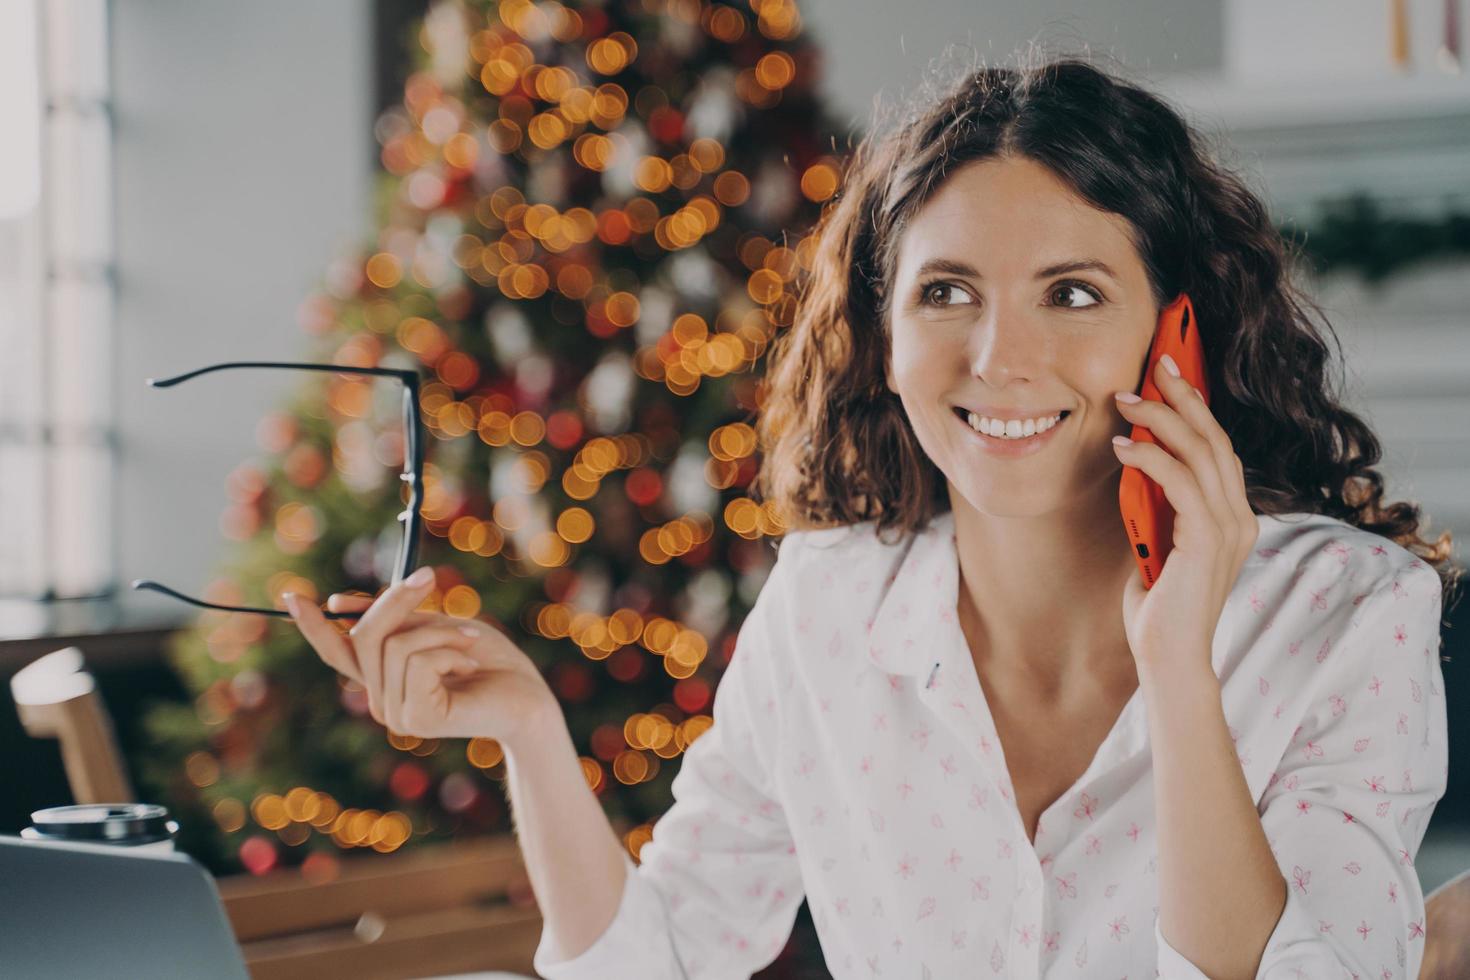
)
(853, 762)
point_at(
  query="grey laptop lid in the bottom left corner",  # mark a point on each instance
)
(95, 910)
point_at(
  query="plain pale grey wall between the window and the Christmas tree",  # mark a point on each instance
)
(243, 162)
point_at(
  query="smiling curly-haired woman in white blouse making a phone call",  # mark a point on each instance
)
(955, 721)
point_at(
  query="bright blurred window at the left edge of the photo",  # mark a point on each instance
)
(57, 305)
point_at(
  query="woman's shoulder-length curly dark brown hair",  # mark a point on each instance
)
(837, 444)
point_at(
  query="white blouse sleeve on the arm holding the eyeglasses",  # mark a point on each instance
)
(718, 887)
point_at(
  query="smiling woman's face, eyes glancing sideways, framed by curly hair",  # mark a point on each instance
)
(986, 320)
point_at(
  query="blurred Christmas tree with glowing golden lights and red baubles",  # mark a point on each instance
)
(590, 227)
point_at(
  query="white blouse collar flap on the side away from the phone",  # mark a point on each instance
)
(905, 631)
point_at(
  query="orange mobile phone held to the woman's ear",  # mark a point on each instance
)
(1147, 515)
